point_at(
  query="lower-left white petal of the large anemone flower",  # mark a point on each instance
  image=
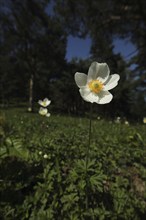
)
(88, 96)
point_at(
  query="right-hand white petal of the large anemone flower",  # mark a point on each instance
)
(111, 82)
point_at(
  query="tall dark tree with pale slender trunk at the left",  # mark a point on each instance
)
(33, 45)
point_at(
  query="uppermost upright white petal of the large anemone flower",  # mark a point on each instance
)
(98, 71)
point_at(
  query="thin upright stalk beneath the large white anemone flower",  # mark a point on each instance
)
(88, 157)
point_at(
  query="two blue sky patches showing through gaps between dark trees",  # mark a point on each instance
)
(80, 48)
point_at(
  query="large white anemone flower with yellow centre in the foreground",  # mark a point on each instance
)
(94, 86)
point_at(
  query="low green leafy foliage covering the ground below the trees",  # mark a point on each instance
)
(38, 187)
